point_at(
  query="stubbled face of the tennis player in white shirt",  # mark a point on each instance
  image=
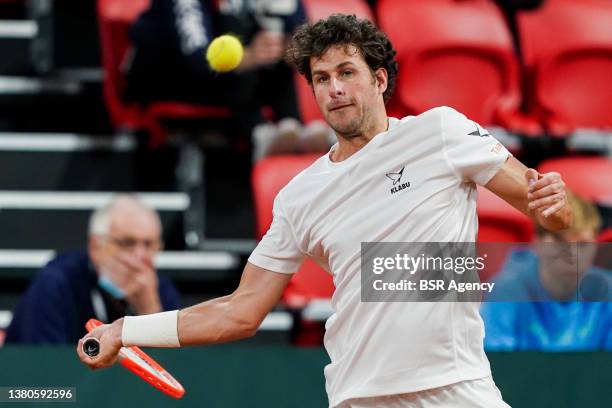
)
(346, 90)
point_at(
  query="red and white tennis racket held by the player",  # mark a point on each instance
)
(138, 362)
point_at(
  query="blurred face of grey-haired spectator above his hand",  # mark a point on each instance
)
(133, 232)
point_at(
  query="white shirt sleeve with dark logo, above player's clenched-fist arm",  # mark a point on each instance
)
(472, 153)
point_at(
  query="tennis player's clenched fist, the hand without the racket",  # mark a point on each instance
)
(546, 194)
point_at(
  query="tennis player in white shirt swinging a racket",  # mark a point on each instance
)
(383, 354)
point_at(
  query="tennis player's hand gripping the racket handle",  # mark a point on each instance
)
(109, 336)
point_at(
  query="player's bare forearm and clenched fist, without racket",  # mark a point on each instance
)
(542, 197)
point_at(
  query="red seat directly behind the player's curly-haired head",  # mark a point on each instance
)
(316, 10)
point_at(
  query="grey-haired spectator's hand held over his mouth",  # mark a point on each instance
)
(137, 279)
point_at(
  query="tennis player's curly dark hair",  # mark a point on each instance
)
(313, 39)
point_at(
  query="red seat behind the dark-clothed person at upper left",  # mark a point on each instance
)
(114, 19)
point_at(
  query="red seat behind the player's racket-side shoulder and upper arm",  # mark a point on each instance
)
(270, 175)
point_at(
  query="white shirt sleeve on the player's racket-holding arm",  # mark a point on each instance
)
(278, 250)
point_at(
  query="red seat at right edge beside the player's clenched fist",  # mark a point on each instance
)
(589, 177)
